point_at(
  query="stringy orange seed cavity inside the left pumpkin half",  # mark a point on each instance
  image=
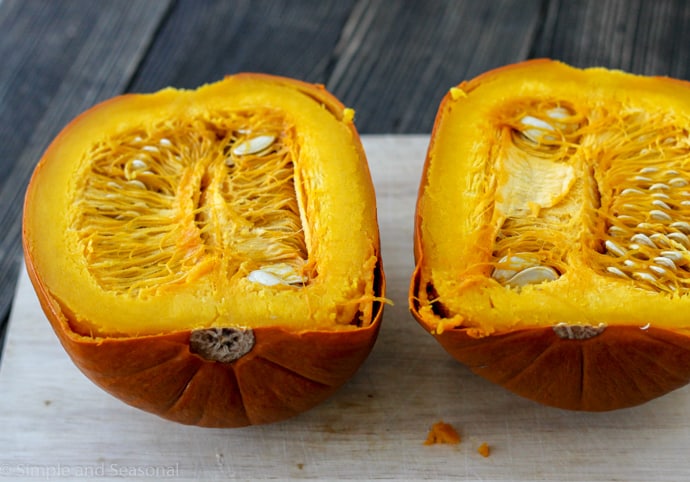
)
(164, 204)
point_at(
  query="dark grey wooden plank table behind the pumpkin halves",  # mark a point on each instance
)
(391, 60)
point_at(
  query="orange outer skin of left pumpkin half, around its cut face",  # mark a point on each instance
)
(286, 372)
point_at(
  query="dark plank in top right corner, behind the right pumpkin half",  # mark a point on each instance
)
(639, 36)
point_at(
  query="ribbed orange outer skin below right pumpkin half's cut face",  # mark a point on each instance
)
(621, 367)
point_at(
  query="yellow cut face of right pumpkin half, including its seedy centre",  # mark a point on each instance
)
(571, 171)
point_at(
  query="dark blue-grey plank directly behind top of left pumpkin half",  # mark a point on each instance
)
(203, 40)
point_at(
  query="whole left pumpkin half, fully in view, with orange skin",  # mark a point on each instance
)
(211, 256)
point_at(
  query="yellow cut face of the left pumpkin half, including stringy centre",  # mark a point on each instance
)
(146, 216)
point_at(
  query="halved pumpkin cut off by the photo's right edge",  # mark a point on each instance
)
(551, 238)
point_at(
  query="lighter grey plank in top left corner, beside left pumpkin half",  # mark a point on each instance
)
(78, 53)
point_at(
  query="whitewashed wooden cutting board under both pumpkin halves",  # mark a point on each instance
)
(56, 425)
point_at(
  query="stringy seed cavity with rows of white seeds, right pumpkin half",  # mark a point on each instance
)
(610, 185)
